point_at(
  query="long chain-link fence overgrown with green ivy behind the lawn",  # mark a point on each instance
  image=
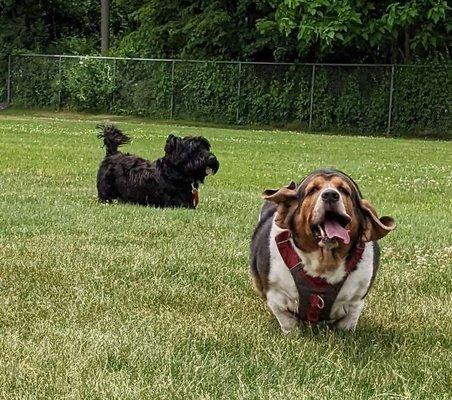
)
(362, 98)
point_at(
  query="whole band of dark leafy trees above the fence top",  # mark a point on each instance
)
(281, 30)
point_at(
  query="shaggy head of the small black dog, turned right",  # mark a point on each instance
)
(192, 156)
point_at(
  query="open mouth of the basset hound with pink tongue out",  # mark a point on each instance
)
(332, 228)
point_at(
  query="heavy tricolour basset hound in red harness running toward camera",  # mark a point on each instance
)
(314, 252)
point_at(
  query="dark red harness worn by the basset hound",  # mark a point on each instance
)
(316, 295)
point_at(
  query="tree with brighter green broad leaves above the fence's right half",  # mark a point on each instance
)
(379, 30)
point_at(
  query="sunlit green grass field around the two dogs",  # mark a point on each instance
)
(128, 302)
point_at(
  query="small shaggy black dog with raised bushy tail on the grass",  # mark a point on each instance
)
(170, 181)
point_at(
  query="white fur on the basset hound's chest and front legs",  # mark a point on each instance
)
(282, 294)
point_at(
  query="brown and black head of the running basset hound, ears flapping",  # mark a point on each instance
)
(327, 211)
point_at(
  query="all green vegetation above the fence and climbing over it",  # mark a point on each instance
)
(299, 31)
